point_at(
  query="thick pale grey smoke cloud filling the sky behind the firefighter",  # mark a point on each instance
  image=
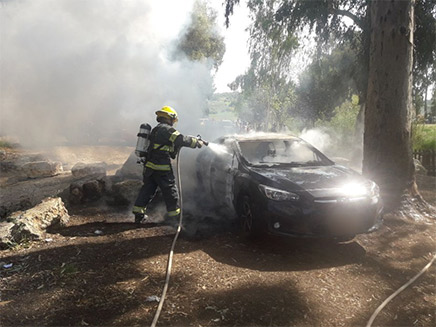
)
(86, 71)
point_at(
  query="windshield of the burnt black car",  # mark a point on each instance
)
(288, 152)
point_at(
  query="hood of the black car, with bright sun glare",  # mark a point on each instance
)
(324, 181)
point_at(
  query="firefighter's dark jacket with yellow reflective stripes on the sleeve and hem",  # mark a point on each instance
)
(165, 142)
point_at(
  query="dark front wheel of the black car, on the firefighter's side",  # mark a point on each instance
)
(251, 226)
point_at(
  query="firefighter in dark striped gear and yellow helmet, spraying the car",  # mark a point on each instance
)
(165, 144)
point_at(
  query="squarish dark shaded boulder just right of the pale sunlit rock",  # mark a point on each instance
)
(86, 191)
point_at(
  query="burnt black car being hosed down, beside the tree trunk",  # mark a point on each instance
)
(283, 185)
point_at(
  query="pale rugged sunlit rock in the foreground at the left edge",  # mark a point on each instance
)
(32, 224)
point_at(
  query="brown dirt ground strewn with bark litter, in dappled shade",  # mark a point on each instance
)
(77, 277)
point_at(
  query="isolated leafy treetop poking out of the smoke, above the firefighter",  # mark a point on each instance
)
(201, 42)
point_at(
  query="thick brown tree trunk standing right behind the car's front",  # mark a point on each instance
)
(388, 156)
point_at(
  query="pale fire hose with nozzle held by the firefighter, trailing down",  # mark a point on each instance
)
(179, 228)
